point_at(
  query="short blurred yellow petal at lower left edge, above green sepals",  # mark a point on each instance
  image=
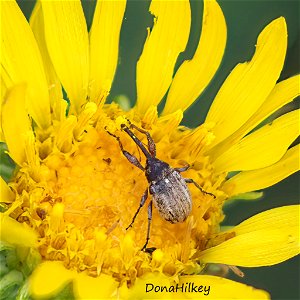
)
(16, 233)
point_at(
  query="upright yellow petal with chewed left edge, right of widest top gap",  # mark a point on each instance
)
(167, 39)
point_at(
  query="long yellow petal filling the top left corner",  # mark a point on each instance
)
(21, 61)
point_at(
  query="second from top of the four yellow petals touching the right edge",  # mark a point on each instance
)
(263, 147)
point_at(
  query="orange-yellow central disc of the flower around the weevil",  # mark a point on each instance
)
(85, 198)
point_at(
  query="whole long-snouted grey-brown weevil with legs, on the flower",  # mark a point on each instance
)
(170, 194)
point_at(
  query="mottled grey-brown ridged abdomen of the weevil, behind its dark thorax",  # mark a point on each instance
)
(172, 198)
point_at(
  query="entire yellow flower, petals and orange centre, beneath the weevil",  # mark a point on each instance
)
(74, 193)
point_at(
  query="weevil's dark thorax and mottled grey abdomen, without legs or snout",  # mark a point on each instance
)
(169, 191)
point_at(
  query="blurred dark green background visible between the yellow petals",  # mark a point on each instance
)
(245, 20)
